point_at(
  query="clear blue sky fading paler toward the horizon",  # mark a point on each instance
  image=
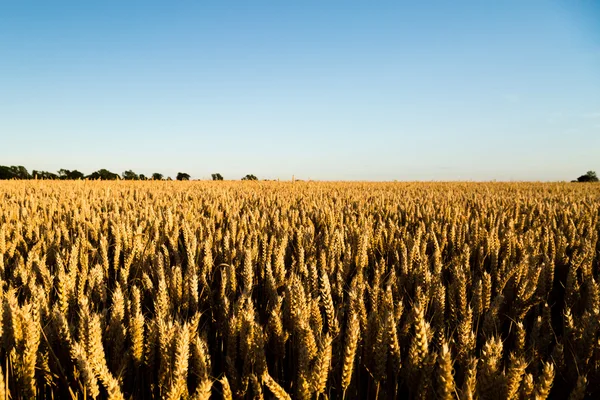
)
(336, 90)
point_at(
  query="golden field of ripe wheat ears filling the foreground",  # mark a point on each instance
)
(306, 290)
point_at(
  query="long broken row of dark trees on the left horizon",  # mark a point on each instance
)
(20, 172)
